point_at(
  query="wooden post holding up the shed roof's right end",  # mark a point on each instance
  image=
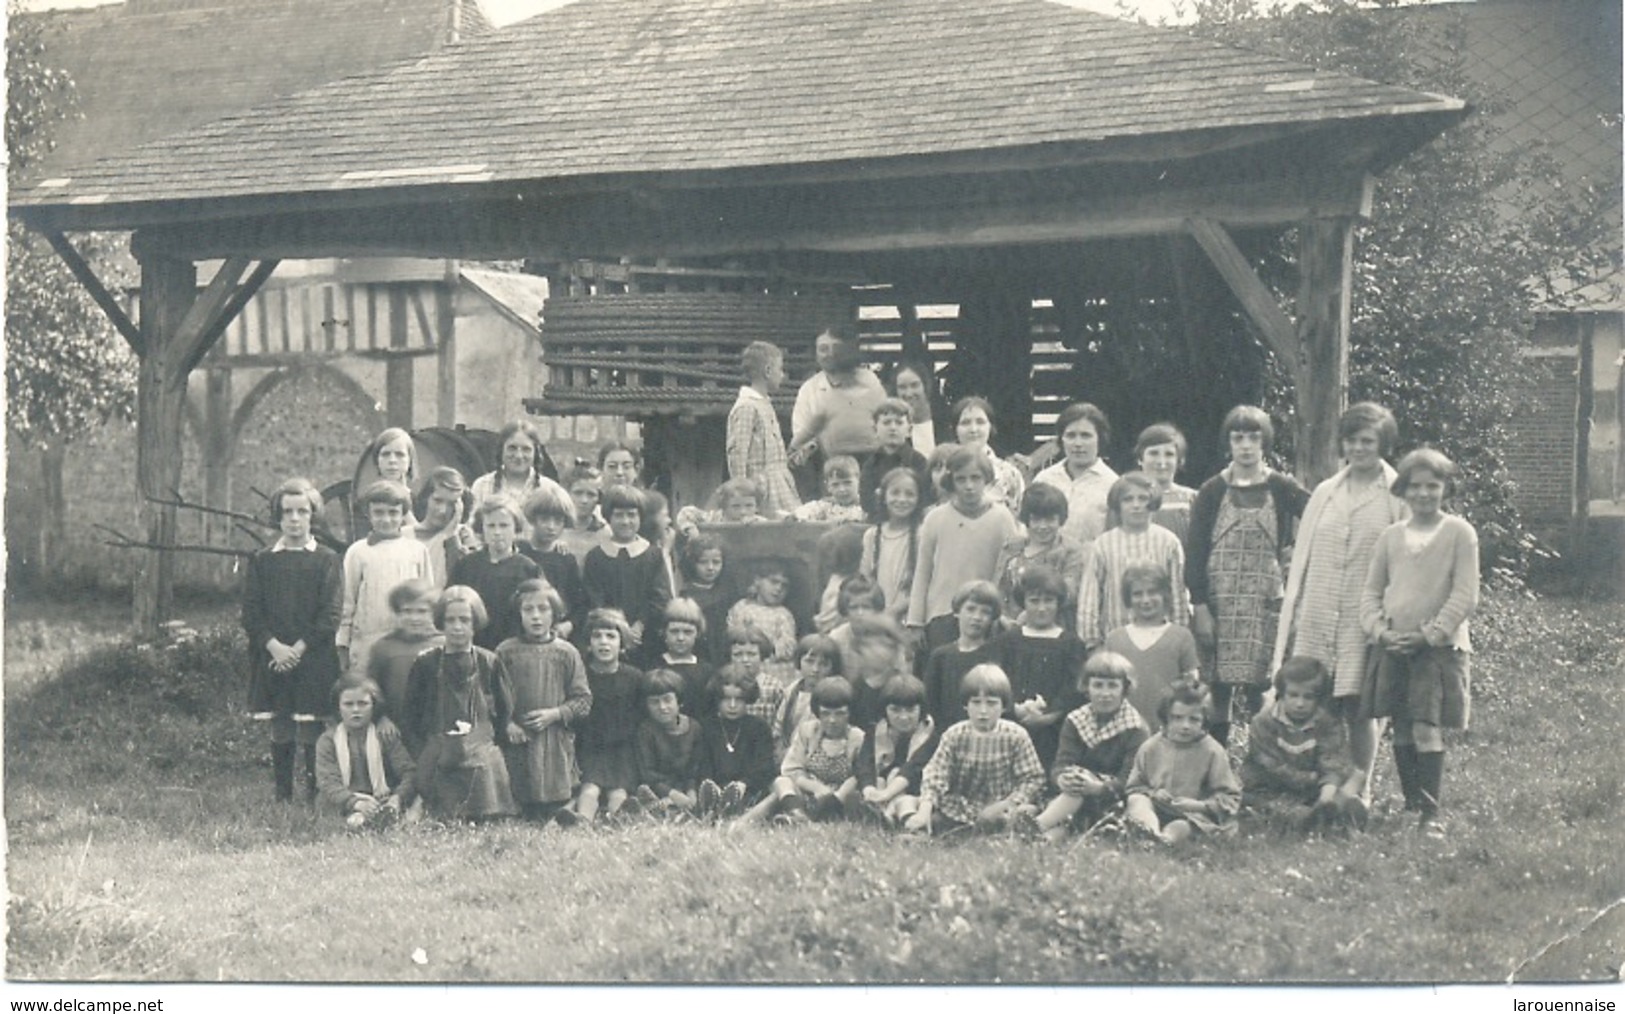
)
(1325, 282)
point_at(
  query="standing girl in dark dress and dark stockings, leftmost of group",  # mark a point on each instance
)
(292, 605)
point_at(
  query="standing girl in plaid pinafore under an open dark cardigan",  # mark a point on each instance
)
(1241, 534)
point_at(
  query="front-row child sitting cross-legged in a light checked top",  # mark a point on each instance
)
(984, 769)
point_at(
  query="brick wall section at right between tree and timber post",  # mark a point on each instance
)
(1543, 456)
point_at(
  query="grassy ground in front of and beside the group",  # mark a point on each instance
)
(144, 846)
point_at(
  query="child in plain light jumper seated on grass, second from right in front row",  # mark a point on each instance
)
(1182, 782)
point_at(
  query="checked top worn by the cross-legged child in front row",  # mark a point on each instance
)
(973, 771)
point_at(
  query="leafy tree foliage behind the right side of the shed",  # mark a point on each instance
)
(1467, 238)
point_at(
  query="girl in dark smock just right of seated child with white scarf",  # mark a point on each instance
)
(457, 700)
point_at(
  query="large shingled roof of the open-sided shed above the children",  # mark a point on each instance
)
(626, 87)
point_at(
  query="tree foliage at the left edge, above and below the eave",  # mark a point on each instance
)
(67, 370)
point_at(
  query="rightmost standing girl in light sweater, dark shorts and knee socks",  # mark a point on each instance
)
(1419, 594)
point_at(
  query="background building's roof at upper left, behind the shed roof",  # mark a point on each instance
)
(149, 69)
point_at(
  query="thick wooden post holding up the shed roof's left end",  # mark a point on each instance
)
(168, 293)
